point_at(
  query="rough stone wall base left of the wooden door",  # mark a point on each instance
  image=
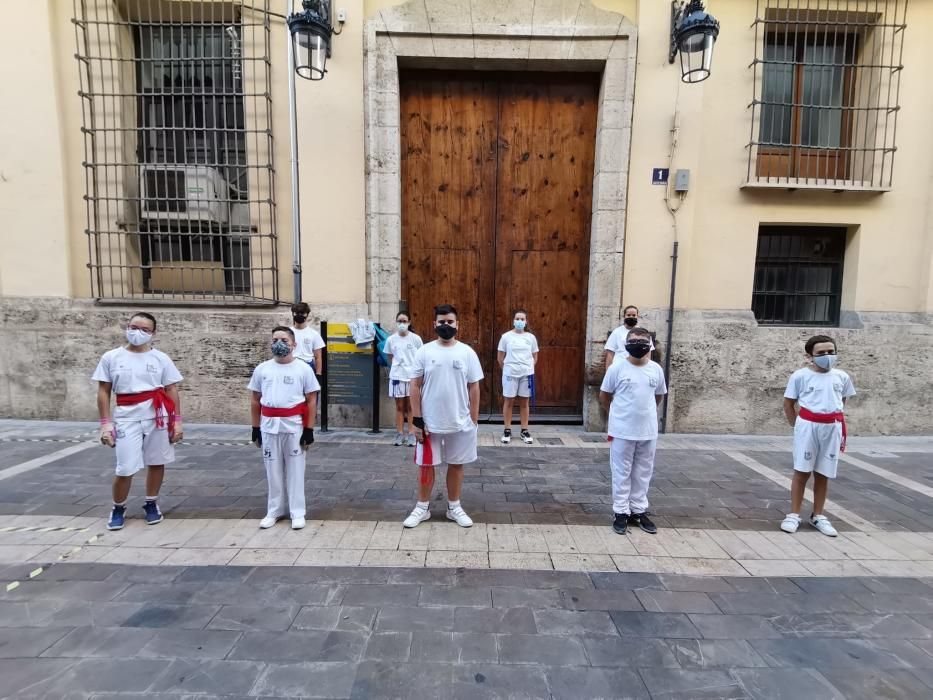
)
(49, 348)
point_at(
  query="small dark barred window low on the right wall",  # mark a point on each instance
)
(798, 275)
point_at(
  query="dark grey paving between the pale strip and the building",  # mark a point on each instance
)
(693, 488)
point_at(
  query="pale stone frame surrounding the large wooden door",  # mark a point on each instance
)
(476, 34)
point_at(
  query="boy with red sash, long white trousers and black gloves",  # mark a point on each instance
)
(284, 401)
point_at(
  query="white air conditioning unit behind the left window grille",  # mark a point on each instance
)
(194, 193)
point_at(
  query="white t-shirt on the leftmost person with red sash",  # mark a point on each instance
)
(133, 372)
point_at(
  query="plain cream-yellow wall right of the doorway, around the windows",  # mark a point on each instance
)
(888, 260)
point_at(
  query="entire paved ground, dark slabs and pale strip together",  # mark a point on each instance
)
(539, 599)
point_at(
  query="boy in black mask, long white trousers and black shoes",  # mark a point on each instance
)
(631, 392)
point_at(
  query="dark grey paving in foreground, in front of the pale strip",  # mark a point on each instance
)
(363, 632)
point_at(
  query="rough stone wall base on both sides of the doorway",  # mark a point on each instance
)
(727, 373)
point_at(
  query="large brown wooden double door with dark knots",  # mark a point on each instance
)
(497, 174)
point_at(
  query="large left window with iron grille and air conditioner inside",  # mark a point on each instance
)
(178, 150)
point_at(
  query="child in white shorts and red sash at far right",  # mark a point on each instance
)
(819, 429)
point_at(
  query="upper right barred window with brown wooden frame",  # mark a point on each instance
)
(826, 79)
